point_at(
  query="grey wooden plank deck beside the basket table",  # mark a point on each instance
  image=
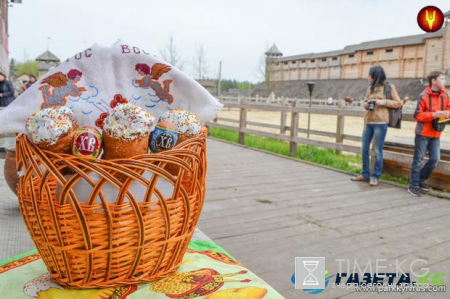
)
(266, 210)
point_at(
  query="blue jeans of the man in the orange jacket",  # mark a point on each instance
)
(421, 145)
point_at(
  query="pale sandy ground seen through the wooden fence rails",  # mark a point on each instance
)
(327, 123)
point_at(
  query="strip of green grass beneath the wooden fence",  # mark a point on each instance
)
(318, 155)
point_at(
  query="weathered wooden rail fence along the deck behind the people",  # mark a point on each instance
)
(397, 156)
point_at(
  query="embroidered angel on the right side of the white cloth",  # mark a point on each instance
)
(150, 78)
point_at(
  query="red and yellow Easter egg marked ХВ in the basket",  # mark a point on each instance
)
(87, 141)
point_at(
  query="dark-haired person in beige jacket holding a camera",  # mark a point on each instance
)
(376, 122)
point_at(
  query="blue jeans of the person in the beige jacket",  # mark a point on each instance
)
(378, 133)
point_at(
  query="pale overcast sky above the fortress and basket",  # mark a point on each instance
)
(234, 32)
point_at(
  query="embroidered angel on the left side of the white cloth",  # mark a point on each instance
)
(60, 86)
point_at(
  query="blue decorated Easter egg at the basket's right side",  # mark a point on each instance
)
(164, 137)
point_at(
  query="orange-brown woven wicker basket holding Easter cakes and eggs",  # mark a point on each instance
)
(105, 238)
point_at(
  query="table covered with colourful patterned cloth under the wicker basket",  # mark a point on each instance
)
(207, 271)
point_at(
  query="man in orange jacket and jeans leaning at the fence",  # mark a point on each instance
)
(433, 104)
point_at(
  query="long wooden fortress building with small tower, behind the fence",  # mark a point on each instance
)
(402, 57)
